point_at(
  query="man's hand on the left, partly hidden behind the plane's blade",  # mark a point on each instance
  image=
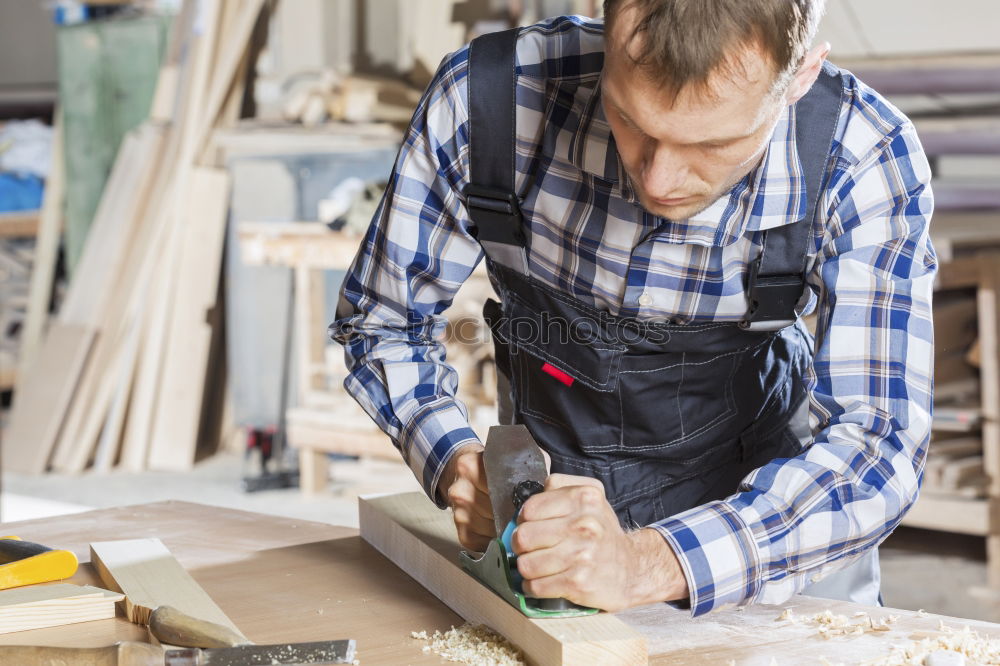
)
(463, 487)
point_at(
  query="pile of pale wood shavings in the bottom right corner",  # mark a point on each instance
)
(950, 647)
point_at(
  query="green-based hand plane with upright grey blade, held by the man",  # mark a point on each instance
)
(515, 470)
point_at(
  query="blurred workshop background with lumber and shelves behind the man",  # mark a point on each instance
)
(183, 182)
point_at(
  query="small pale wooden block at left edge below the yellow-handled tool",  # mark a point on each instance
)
(41, 606)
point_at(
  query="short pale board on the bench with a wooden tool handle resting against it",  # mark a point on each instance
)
(149, 576)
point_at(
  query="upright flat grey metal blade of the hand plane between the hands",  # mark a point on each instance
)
(511, 457)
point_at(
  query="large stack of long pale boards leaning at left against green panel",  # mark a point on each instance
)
(127, 370)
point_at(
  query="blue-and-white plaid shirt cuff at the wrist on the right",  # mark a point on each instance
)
(717, 554)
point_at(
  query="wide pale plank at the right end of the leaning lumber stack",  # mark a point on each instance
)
(179, 406)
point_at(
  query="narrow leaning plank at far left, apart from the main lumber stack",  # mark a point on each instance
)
(46, 250)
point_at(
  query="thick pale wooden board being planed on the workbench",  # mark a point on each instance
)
(420, 539)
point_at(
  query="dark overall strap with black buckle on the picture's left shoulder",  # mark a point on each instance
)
(491, 200)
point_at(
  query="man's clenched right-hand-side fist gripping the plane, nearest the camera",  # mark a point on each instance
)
(569, 544)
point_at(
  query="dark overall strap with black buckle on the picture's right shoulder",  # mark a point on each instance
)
(777, 276)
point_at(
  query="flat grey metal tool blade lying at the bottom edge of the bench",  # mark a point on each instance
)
(318, 652)
